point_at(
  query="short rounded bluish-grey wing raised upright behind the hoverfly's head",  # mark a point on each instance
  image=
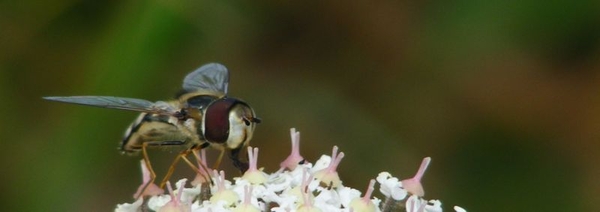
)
(212, 76)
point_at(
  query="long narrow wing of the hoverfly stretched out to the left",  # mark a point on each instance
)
(118, 103)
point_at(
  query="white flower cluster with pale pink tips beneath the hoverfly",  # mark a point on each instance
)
(297, 186)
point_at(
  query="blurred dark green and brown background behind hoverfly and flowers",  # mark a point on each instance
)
(504, 96)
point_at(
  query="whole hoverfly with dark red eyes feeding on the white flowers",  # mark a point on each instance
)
(201, 116)
